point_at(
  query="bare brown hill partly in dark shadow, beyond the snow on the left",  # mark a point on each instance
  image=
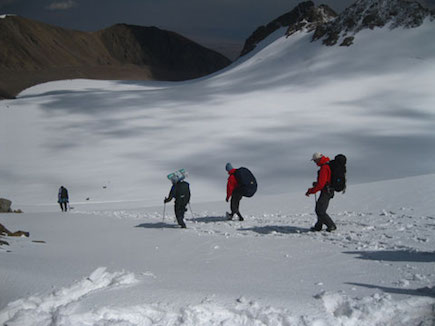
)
(32, 52)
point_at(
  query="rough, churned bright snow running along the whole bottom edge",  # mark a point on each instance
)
(65, 307)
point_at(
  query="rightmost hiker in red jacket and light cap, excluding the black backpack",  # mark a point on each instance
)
(326, 193)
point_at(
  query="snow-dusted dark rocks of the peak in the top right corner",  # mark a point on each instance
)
(365, 14)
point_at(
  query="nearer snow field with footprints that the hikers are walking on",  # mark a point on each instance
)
(377, 269)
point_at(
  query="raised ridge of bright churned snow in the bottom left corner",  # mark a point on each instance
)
(54, 308)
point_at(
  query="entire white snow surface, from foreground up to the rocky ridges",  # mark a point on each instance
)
(118, 258)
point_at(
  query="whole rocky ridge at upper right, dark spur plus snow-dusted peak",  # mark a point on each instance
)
(332, 28)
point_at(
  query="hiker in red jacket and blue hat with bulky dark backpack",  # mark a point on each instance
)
(241, 182)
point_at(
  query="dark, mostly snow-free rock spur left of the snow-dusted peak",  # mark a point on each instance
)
(304, 15)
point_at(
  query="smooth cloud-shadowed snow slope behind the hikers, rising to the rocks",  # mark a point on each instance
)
(269, 113)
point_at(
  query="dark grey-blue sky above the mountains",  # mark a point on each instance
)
(229, 21)
